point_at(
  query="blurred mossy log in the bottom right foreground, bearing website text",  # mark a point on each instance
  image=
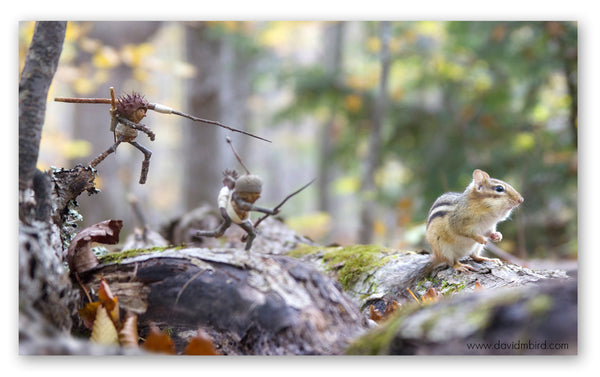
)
(535, 319)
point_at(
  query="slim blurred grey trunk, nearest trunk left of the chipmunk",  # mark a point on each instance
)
(368, 210)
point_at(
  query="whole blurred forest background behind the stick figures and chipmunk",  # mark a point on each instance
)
(386, 115)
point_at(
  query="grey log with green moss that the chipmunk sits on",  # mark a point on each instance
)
(374, 275)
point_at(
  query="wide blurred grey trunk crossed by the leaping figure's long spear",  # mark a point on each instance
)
(202, 144)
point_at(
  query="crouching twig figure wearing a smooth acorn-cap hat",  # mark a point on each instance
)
(236, 199)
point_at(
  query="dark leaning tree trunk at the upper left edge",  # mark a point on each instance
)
(40, 66)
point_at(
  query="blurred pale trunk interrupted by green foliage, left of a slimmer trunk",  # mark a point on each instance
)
(333, 47)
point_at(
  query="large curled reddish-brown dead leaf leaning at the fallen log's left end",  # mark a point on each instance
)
(80, 256)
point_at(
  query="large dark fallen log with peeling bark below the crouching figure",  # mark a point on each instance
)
(249, 303)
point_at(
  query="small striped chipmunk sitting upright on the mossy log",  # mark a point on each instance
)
(459, 225)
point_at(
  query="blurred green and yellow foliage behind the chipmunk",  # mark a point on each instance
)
(499, 96)
